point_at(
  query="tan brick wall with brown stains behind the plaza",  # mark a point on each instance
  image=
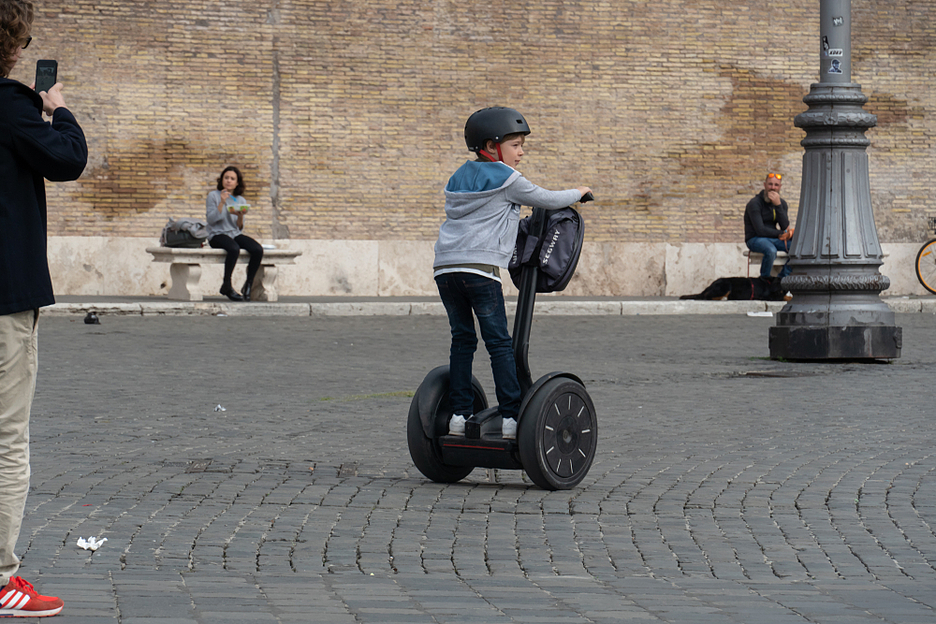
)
(346, 115)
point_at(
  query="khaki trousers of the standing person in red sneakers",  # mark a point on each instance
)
(19, 363)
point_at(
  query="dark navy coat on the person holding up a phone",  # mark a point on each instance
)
(31, 150)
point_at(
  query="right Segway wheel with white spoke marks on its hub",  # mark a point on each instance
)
(558, 434)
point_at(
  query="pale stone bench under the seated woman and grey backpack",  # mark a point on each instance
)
(185, 270)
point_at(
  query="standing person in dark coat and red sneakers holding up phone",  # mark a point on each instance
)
(32, 150)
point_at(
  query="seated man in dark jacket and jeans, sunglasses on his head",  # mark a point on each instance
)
(766, 225)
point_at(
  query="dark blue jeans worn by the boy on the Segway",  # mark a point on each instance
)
(462, 294)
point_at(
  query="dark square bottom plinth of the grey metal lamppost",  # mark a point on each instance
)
(858, 342)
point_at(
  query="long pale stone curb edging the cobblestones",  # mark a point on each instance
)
(546, 306)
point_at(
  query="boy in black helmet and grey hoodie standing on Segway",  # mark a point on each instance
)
(482, 211)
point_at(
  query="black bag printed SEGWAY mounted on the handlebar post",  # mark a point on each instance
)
(556, 255)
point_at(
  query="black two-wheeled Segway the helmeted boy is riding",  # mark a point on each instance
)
(557, 432)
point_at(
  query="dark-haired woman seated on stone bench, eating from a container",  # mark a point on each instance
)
(226, 230)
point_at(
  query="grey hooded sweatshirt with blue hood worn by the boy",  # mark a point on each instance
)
(482, 210)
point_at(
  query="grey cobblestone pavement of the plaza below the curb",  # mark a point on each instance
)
(727, 487)
